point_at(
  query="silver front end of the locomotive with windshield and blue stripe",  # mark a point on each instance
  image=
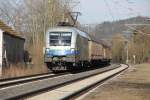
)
(60, 48)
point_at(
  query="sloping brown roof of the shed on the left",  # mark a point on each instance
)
(8, 30)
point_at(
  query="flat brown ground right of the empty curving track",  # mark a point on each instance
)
(132, 84)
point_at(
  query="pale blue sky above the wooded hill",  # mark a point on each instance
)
(98, 11)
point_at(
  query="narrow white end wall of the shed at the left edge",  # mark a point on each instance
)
(1, 52)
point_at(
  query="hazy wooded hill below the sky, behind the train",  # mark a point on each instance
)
(109, 29)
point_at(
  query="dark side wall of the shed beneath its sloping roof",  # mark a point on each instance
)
(14, 48)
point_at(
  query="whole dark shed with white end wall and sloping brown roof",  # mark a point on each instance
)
(12, 46)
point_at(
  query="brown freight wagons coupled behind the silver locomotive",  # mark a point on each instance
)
(99, 52)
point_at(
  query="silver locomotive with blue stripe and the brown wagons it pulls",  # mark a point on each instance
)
(68, 48)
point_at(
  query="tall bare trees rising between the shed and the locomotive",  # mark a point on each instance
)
(33, 18)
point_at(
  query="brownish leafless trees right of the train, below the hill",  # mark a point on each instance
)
(138, 47)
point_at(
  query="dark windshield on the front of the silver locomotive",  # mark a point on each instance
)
(60, 38)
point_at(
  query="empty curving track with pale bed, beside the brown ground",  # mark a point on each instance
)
(78, 88)
